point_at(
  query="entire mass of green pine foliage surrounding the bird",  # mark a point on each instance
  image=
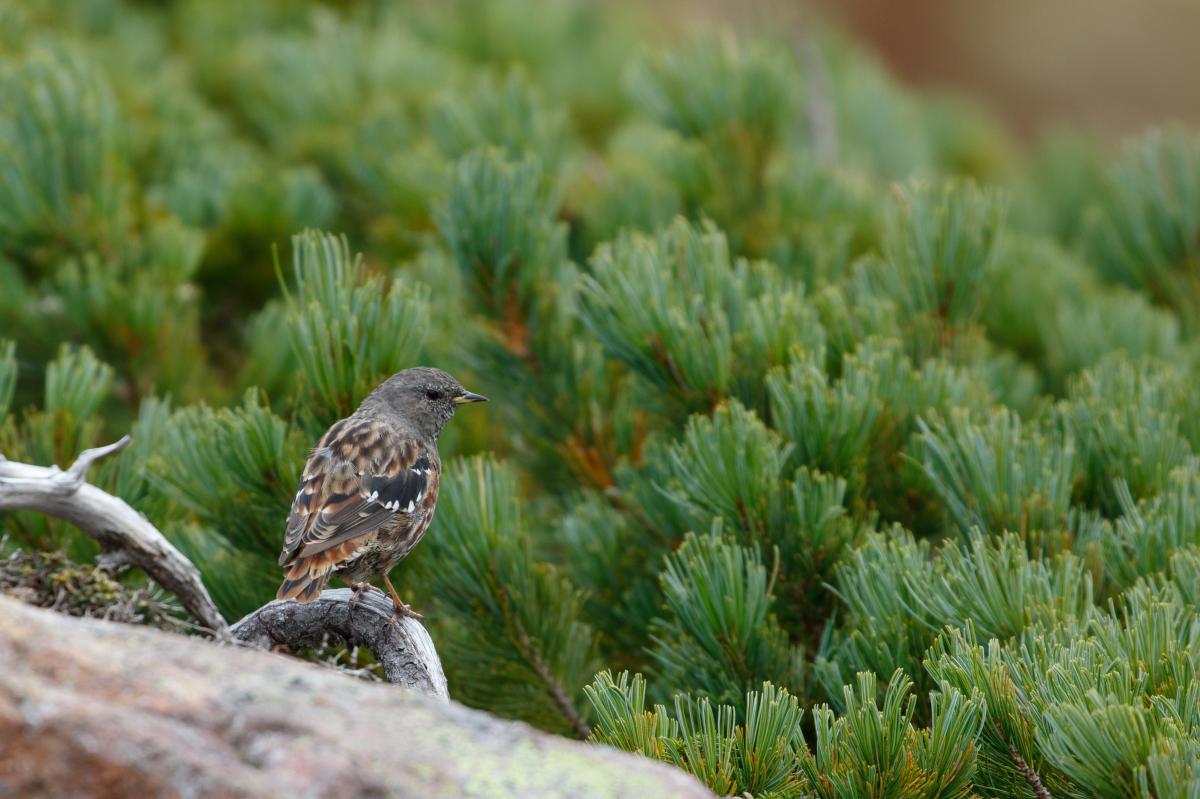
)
(860, 442)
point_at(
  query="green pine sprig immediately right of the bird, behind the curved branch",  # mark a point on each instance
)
(512, 624)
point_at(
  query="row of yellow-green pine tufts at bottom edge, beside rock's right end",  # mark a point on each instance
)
(873, 749)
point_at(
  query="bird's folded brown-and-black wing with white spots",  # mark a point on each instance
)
(361, 477)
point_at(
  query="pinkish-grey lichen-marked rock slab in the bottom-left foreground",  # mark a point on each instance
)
(98, 710)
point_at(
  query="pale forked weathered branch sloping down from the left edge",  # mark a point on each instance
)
(119, 530)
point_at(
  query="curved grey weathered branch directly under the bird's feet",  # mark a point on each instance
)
(405, 648)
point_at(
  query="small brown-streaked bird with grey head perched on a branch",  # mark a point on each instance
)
(370, 488)
